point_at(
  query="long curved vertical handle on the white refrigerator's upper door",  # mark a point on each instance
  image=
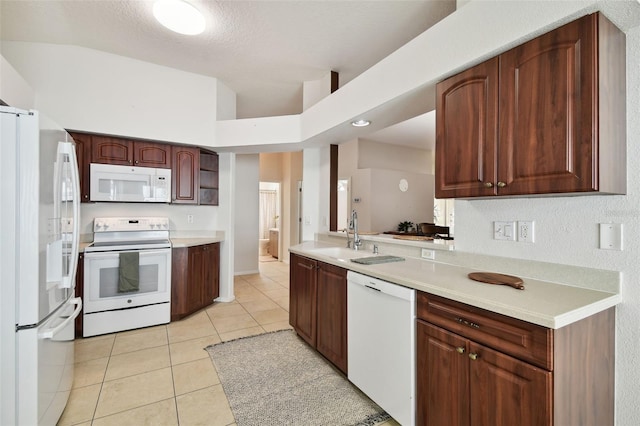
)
(68, 281)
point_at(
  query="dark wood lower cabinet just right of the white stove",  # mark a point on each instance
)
(195, 278)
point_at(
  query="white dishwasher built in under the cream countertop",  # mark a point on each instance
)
(381, 343)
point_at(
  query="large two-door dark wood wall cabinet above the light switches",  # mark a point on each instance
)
(546, 117)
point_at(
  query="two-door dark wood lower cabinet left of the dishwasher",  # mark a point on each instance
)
(318, 307)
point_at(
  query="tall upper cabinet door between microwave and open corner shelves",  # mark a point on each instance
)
(185, 175)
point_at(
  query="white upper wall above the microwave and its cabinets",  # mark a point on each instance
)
(85, 89)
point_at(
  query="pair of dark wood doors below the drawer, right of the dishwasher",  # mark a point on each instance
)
(462, 383)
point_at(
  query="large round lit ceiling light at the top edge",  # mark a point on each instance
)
(179, 16)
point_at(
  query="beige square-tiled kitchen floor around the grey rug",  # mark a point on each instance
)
(162, 375)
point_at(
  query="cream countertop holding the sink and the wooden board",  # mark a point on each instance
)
(545, 303)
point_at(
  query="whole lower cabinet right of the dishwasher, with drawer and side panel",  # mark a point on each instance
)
(476, 367)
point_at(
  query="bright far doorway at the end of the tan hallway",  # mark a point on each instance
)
(269, 222)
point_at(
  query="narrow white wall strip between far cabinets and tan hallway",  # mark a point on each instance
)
(246, 227)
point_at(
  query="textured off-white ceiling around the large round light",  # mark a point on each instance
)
(263, 50)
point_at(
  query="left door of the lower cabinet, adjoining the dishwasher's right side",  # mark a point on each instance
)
(442, 386)
